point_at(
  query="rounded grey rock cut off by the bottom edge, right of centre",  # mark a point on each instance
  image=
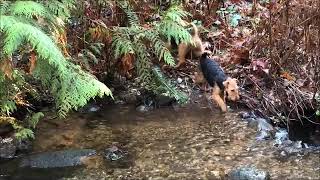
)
(248, 173)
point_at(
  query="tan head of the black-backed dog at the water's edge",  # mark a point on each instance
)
(231, 89)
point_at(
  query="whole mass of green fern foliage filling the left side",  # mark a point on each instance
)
(22, 27)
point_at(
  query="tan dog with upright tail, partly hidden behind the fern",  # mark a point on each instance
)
(195, 46)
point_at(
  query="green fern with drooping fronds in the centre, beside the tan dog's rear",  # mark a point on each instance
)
(142, 41)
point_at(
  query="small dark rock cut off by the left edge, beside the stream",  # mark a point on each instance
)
(7, 148)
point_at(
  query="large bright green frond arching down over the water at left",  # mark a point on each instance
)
(69, 83)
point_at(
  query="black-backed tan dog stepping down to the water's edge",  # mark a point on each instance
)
(223, 86)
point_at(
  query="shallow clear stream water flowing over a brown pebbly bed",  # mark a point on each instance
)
(193, 142)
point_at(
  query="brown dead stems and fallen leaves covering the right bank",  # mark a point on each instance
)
(275, 51)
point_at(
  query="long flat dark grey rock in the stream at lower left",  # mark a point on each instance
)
(65, 158)
